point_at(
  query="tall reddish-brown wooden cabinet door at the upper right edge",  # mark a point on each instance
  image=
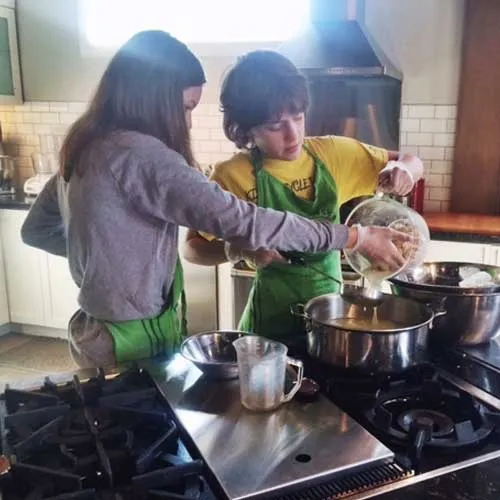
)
(476, 166)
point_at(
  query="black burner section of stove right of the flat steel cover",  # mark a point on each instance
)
(421, 415)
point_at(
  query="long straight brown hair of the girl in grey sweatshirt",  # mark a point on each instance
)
(140, 90)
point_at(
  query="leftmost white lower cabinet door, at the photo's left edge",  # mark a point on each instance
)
(23, 271)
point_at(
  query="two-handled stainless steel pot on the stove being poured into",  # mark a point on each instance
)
(372, 348)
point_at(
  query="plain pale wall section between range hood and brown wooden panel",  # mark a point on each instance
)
(423, 39)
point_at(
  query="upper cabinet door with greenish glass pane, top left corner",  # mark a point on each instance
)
(10, 77)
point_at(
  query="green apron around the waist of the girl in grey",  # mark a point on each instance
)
(161, 335)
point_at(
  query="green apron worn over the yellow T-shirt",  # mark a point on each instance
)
(278, 286)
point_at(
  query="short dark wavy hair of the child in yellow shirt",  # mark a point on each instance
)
(260, 87)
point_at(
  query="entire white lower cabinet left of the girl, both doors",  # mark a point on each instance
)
(40, 290)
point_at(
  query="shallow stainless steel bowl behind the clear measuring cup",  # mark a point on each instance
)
(213, 352)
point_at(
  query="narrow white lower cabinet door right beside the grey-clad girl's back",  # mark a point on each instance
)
(61, 294)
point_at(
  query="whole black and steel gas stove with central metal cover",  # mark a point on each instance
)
(163, 430)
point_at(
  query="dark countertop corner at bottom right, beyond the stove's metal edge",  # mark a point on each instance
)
(479, 482)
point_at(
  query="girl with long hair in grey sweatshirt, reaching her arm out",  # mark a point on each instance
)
(124, 187)
